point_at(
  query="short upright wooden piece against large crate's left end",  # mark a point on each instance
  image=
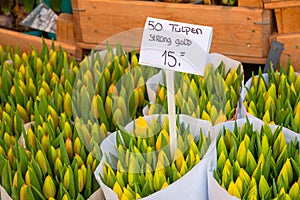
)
(65, 29)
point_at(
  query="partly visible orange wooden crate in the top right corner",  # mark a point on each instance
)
(287, 14)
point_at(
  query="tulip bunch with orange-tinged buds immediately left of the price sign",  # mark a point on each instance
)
(110, 89)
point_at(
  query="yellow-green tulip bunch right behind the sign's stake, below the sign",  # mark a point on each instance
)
(213, 97)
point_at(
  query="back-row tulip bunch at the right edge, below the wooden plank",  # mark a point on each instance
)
(274, 98)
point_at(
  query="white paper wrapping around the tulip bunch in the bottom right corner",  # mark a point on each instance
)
(215, 191)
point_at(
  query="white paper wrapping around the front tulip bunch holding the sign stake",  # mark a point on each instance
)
(192, 185)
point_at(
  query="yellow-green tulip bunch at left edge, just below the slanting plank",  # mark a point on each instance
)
(26, 78)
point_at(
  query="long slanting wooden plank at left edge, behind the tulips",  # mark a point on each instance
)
(24, 41)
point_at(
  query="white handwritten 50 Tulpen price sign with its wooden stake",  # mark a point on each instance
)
(175, 46)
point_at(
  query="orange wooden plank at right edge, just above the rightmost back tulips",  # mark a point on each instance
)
(291, 45)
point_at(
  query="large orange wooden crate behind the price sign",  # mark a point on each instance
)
(239, 32)
